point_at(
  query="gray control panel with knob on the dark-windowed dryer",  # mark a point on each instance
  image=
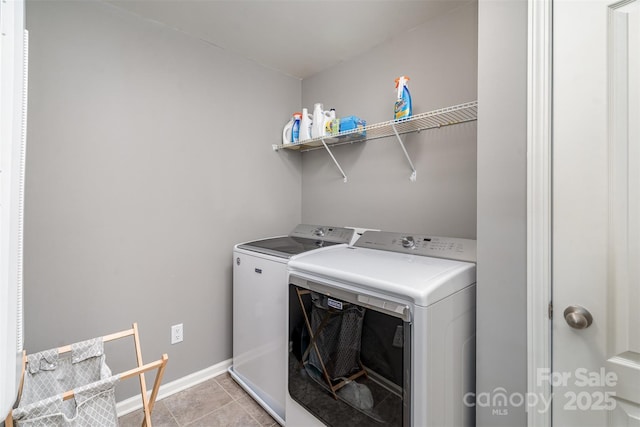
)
(420, 244)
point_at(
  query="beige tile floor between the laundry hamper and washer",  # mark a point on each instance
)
(216, 402)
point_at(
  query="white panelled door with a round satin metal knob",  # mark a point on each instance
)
(596, 213)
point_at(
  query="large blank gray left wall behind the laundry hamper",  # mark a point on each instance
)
(145, 165)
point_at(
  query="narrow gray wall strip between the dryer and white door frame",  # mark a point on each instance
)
(502, 216)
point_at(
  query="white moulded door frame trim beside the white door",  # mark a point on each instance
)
(539, 206)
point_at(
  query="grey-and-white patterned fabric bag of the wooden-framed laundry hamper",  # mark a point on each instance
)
(48, 375)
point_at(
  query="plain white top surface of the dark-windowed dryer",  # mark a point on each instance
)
(417, 279)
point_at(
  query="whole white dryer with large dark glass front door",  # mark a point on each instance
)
(416, 340)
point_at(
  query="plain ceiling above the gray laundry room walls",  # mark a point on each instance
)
(297, 37)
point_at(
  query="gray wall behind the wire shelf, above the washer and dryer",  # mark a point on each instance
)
(440, 57)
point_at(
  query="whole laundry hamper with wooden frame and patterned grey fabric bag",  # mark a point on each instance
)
(73, 386)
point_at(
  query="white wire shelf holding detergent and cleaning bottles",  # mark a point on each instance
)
(449, 116)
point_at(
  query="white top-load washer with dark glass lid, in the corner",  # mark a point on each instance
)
(259, 309)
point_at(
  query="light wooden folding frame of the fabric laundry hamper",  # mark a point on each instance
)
(147, 402)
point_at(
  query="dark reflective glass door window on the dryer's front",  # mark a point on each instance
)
(349, 364)
